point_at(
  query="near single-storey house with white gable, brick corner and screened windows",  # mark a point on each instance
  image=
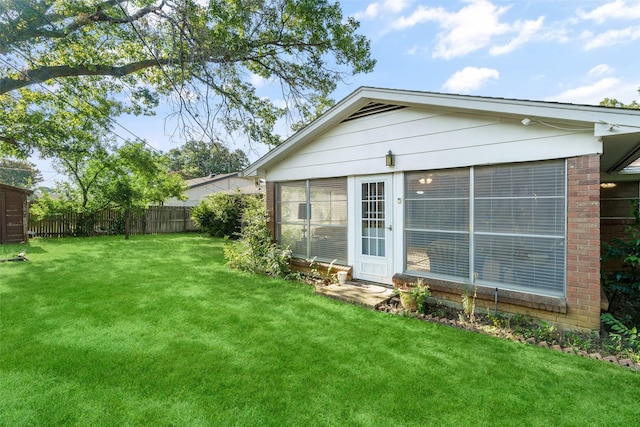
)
(459, 190)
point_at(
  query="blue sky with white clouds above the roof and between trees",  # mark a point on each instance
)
(562, 50)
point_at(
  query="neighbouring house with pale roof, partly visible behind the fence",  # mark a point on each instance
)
(199, 188)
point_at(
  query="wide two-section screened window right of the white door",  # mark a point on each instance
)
(503, 225)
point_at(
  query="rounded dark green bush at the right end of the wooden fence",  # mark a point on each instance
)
(220, 214)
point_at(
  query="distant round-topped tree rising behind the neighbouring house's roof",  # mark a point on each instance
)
(200, 158)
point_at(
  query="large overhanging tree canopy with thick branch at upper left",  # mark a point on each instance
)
(102, 58)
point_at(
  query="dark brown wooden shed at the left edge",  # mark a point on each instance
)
(14, 214)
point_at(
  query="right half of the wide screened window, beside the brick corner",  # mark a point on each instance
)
(519, 219)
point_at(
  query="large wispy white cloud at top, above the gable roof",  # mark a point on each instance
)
(471, 28)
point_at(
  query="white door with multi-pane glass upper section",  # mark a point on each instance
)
(374, 228)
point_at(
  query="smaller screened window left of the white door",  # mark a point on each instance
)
(311, 218)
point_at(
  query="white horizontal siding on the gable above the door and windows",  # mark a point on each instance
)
(429, 139)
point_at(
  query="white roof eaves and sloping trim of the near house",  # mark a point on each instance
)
(618, 128)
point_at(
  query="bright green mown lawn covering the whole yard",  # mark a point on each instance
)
(157, 331)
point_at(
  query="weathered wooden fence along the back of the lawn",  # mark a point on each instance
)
(154, 219)
